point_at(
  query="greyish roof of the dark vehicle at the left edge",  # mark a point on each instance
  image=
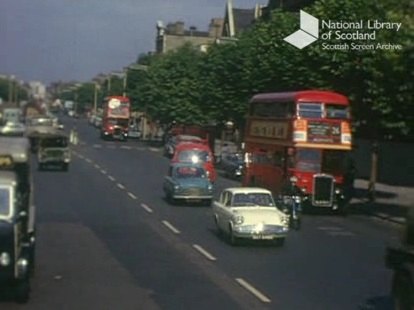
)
(17, 147)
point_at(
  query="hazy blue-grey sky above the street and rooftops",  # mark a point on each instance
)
(67, 40)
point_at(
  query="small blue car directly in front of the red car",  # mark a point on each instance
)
(187, 182)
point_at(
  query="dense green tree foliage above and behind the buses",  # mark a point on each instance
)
(189, 86)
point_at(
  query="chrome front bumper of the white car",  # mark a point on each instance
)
(258, 232)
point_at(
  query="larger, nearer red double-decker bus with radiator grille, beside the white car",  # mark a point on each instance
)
(305, 135)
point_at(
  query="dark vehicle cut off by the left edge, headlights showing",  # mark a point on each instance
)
(17, 224)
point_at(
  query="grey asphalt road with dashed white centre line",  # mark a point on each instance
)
(107, 239)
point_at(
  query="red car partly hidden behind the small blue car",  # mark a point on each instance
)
(197, 153)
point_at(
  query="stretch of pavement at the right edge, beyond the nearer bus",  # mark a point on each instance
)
(390, 203)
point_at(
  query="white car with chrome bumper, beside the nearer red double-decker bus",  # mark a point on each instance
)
(249, 213)
